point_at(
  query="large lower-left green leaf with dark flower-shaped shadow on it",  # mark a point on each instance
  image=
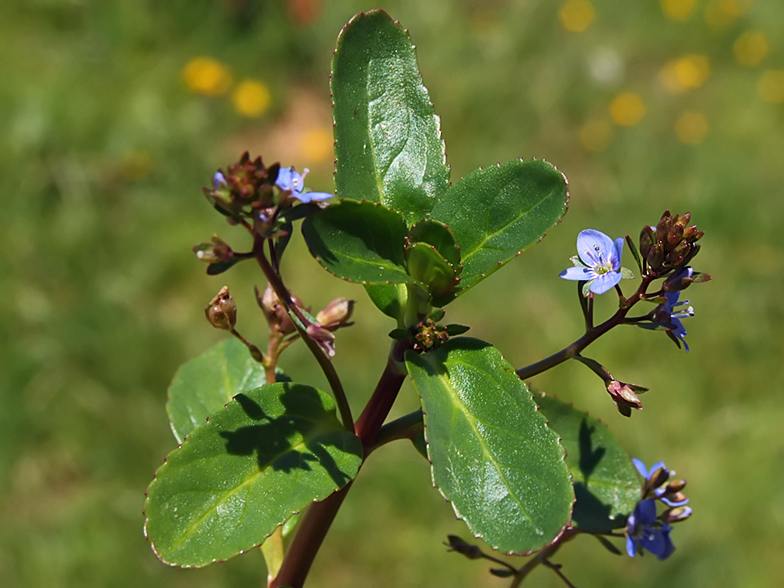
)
(265, 457)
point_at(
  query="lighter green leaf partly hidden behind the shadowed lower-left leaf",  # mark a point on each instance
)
(206, 383)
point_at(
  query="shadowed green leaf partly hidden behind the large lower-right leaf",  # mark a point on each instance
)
(605, 481)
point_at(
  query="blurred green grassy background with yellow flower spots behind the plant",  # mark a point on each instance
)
(114, 114)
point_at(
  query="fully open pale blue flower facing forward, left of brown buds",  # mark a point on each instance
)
(599, 261)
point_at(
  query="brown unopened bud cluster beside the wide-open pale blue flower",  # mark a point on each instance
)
(671, 244)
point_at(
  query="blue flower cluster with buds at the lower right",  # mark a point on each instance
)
(647, 530)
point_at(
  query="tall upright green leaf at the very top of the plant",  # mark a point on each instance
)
(388, 145)
